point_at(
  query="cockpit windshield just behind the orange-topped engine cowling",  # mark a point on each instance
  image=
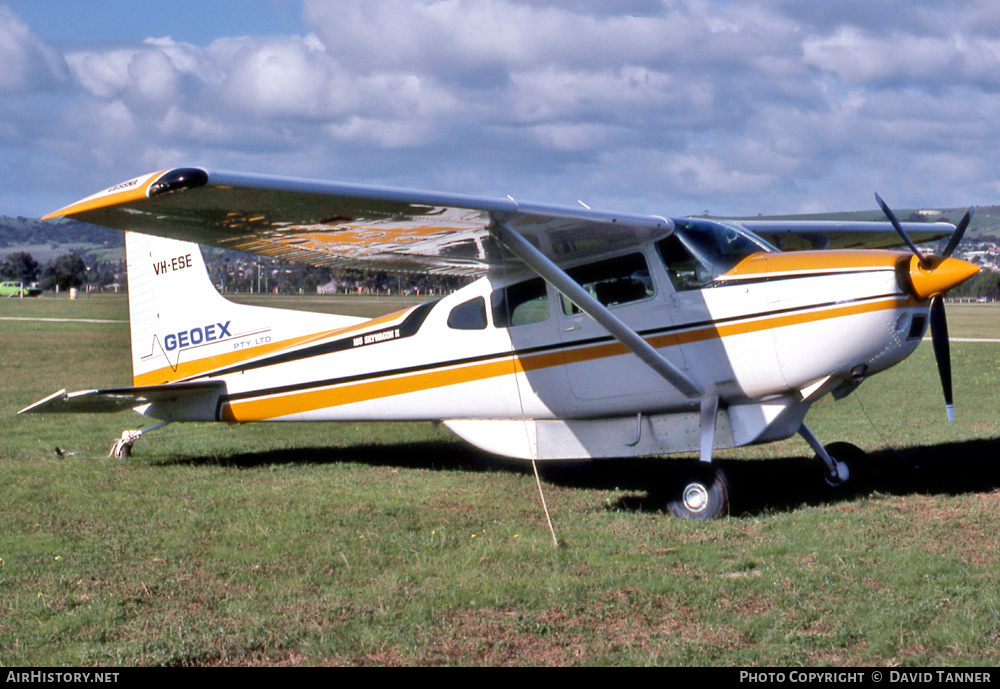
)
(699, 251)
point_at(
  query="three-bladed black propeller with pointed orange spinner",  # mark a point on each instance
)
(929, 278)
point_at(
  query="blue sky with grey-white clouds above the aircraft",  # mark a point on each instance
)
(670, 107)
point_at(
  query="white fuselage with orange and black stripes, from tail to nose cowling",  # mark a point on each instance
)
(749, 324)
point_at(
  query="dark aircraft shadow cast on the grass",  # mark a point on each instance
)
(756, 486)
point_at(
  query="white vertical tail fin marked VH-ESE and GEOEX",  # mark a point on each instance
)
(182, 328)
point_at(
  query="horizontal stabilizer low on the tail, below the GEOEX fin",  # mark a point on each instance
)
(120, 399)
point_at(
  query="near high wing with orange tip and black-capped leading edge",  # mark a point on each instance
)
(347, 225)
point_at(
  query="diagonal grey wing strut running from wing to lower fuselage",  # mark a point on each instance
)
(539, 263)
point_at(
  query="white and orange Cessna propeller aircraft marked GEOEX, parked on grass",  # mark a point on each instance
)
(588, 334)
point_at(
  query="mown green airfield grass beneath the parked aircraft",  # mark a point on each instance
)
(396, 544)
